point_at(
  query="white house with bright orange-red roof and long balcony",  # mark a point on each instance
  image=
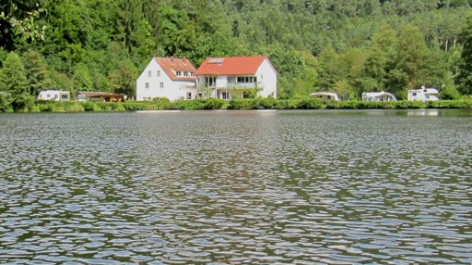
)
(235, 77)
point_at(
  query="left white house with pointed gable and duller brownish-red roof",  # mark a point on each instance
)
(170, 78)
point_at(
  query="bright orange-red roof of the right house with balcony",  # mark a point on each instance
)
(231, 65)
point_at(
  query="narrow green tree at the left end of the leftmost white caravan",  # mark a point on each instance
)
(37, 72)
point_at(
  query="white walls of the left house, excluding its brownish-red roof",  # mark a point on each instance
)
(162, 85)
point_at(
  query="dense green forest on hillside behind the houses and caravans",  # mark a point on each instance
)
(316, 45)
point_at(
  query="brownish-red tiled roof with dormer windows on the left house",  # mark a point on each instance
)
(173, 65)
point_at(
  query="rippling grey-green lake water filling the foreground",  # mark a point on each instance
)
(237, 187)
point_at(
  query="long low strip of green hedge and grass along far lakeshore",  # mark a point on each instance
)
(235, 104)
